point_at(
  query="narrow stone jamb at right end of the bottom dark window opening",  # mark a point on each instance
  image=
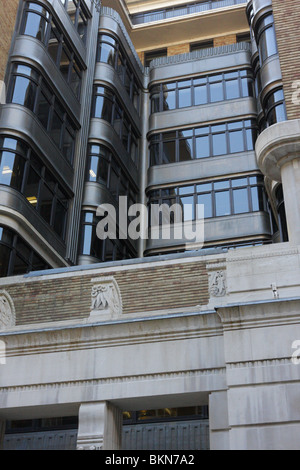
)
(218, 421)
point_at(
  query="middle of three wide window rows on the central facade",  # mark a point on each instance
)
(203, 142)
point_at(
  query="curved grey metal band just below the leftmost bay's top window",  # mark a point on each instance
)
(31, 51)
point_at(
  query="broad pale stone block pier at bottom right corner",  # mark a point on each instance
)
(263, 383)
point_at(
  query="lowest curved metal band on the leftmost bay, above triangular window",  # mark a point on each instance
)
(17, 208)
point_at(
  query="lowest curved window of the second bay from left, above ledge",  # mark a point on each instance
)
(103, 250)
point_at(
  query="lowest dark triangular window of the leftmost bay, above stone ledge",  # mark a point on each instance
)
(16, 256)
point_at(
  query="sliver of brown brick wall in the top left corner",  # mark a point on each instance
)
(8, 11)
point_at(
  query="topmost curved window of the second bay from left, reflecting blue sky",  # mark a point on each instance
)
(110, 52)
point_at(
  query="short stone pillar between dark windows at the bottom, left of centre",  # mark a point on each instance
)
(100, 427)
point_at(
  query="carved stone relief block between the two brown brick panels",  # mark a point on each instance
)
(106, 298)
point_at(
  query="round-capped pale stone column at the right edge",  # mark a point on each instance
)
(278, 155)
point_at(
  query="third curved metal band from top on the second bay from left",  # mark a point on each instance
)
(102, 132)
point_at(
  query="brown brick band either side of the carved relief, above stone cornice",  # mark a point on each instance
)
(142, 290)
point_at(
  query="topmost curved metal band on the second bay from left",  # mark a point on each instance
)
(110, 22)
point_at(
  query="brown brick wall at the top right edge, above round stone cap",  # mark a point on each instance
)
(287, 25)
